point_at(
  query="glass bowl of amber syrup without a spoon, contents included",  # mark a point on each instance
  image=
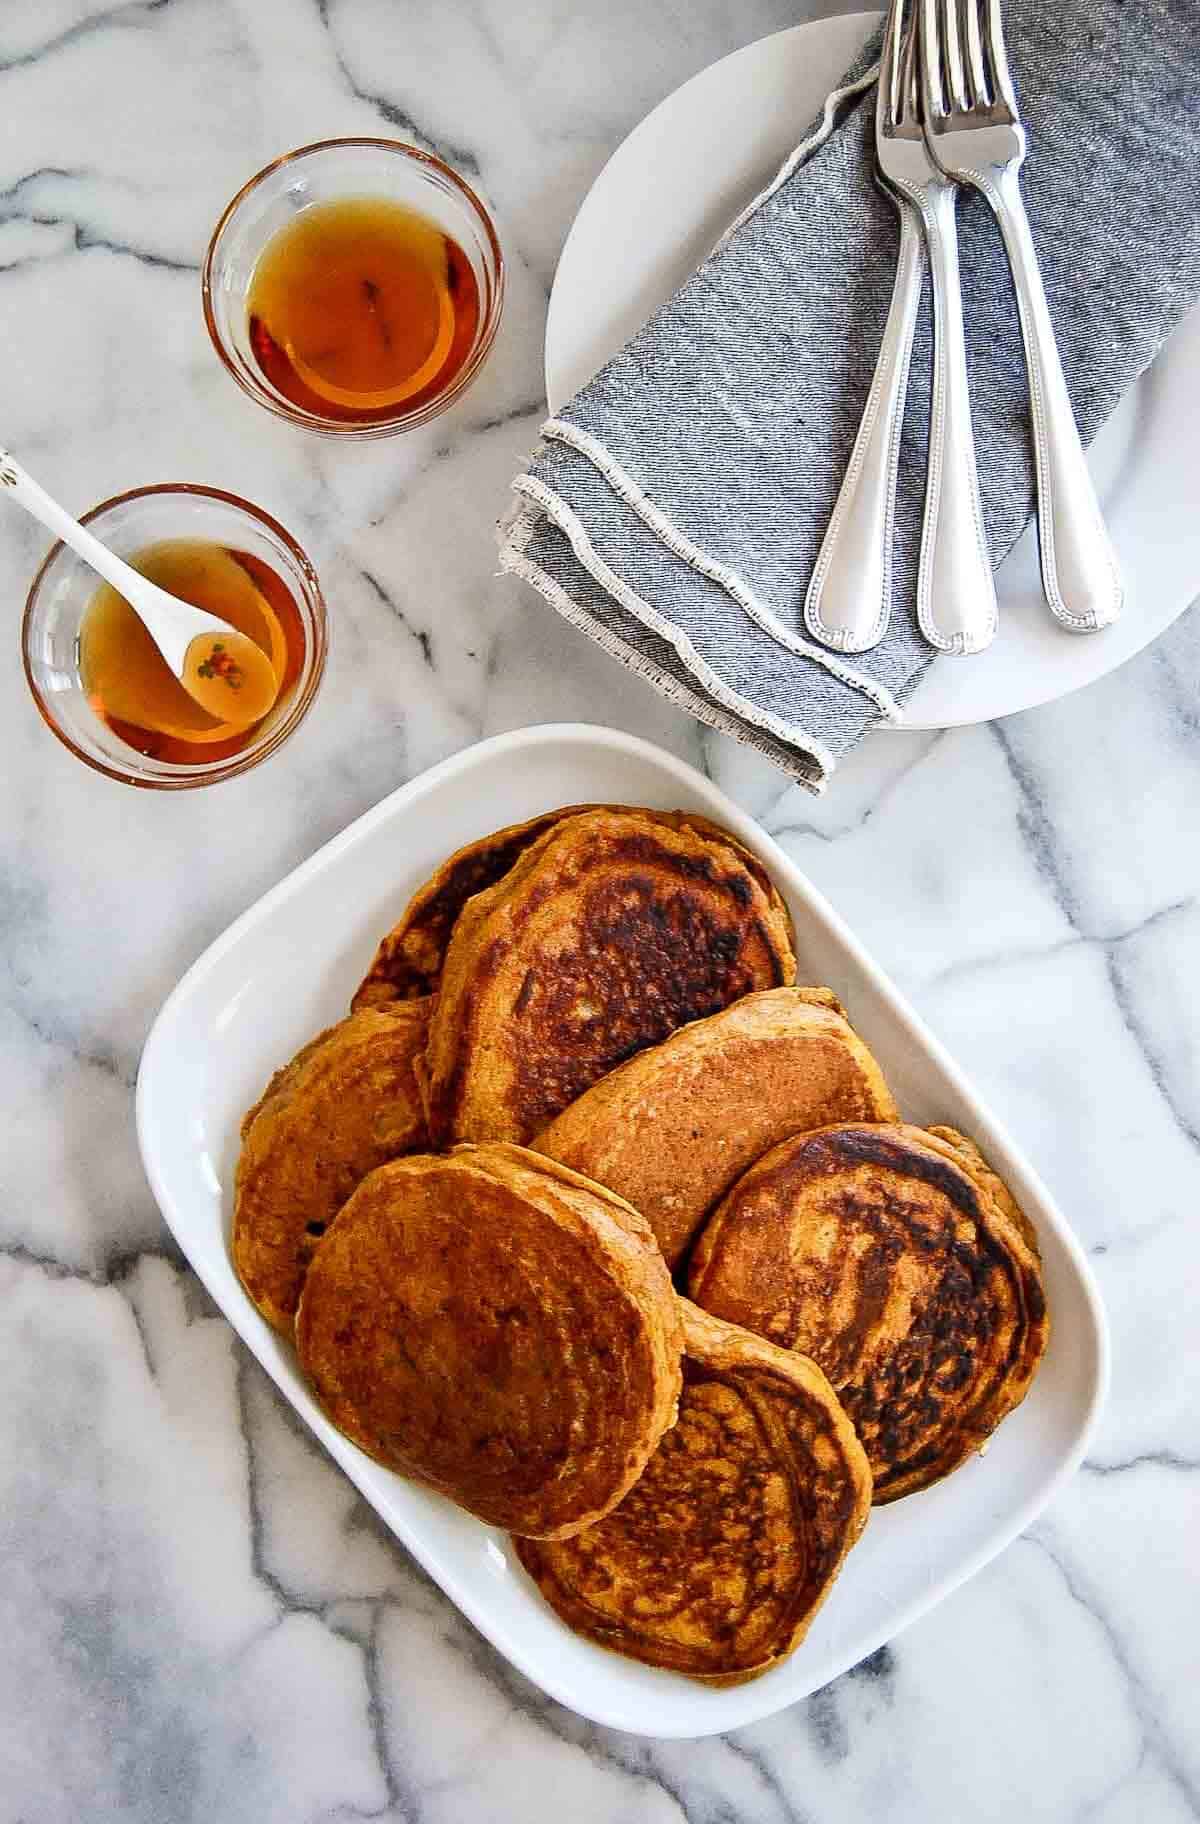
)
(355, 287)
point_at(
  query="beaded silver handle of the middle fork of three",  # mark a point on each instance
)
(957, 594)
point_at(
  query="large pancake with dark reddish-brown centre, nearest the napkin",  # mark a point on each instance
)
(612, 931)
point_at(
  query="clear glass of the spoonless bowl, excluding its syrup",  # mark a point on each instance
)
(327, 172)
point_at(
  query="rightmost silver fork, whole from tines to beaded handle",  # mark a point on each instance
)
(977, 136)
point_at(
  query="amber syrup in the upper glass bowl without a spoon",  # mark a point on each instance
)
(362, 311)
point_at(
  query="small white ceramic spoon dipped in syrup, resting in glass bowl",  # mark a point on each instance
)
(222, 668)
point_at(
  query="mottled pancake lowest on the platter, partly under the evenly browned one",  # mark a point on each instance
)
(721, 1555)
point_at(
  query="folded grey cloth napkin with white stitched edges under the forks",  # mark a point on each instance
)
(676, 506)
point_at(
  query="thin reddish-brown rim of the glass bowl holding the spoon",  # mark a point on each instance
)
(245, 758)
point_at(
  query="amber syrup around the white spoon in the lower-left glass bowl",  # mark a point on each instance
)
(130, 685)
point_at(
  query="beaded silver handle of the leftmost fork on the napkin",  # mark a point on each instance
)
(849, 599)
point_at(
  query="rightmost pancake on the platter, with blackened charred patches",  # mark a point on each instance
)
(880, 1256)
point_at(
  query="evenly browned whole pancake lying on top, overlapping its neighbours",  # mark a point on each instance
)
(499, 1329)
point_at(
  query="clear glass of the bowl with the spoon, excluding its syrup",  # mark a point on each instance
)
(65, 586)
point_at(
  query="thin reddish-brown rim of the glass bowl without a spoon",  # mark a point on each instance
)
(331, 428)
